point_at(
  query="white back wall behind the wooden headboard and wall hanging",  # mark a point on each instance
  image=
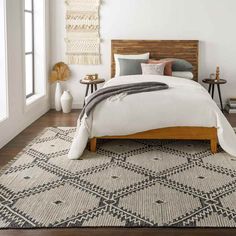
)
(210, 21)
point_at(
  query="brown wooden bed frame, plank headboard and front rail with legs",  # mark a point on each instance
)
(184, 49)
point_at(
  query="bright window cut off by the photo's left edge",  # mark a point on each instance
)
(3, 63)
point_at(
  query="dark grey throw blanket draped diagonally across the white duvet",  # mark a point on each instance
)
(119, 92)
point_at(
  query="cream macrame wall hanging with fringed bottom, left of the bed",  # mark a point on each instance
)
(82, 27)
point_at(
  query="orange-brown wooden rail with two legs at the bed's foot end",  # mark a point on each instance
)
(178, 133)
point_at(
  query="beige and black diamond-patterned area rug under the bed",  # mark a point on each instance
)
(125, 184)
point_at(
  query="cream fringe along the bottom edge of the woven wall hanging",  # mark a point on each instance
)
(84, 59)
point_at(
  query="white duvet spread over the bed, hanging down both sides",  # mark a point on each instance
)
(185, 103)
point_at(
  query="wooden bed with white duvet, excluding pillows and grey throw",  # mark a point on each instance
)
(212, 127)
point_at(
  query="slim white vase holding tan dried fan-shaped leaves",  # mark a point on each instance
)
(60, 72)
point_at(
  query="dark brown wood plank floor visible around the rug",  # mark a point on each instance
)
(56, 119)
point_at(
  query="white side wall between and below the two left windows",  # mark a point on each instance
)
(20, 115)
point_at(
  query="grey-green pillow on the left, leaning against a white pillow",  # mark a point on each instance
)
(131, 66)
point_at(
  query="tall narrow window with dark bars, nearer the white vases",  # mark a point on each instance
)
(29, 48)
